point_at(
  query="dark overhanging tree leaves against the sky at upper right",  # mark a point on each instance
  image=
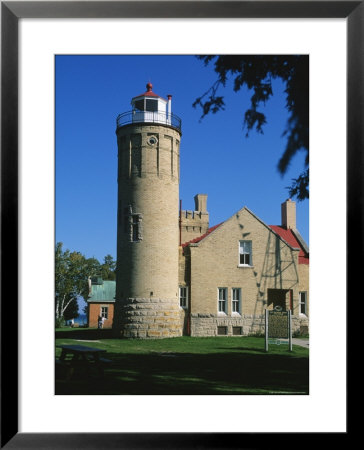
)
(256, 73)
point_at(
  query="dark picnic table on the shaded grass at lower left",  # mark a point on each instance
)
(74, 356)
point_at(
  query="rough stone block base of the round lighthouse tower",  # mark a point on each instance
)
(148, 318)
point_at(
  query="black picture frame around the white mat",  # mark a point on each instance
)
(11, 12)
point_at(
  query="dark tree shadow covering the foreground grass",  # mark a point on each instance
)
(194, 374)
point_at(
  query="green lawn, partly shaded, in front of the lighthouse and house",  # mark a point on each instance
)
(187, 365)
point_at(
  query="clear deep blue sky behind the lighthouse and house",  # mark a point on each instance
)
(216, 157)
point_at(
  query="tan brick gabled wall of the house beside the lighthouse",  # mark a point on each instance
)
(214, 263)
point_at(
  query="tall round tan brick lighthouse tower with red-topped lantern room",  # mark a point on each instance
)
(148, 137)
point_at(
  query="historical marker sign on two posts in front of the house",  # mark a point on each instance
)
(277, 327)
